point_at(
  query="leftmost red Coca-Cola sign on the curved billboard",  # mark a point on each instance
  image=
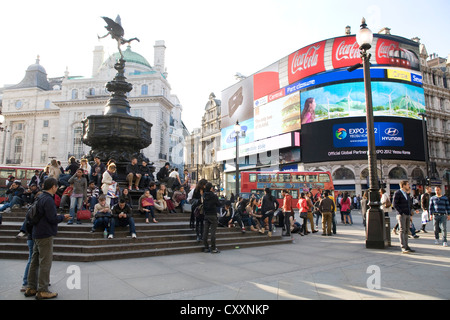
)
(306, 61)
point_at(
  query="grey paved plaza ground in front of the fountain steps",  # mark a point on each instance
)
(312, 267)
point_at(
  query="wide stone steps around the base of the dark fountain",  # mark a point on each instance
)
(171, 235)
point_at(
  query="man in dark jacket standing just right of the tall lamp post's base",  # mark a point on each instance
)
(403, 204)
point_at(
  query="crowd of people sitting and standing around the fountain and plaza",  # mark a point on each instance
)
(94, 188)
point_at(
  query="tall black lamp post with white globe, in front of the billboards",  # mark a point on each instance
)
(376, 231)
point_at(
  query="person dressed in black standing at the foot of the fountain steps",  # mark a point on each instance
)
(210, 204)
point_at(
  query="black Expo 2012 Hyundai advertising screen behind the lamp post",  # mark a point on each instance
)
(346, 139)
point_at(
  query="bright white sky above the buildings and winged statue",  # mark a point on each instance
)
(207, 42)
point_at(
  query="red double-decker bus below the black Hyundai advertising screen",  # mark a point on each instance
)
(294, 181)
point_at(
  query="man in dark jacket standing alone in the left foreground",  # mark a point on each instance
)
(45, 227)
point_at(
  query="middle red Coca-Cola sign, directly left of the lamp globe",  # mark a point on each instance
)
(345, 52)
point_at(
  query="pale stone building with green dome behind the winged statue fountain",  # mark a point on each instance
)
(43, 116)
